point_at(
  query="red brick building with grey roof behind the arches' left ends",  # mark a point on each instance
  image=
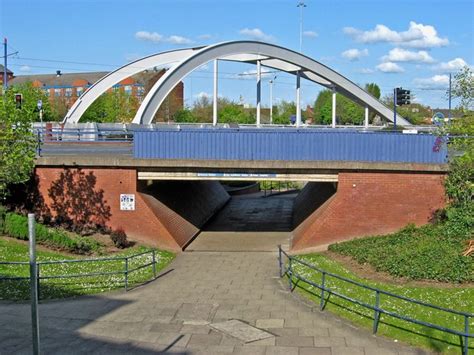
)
(66, 88)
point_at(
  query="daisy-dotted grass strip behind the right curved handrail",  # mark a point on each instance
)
(455, 297)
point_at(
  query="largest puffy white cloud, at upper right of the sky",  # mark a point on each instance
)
(417, 36)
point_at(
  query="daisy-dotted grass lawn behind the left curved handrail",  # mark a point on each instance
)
(14, 250)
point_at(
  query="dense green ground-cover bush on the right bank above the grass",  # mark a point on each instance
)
(431, 252)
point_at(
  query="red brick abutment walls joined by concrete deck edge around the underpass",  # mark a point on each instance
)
(366, 198)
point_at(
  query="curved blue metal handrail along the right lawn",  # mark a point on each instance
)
(378, 310)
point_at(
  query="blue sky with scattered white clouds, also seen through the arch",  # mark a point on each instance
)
(413, 44)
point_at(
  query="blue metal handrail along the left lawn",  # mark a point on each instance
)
(126, 271)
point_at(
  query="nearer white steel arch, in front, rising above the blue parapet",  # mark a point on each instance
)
(269, 55)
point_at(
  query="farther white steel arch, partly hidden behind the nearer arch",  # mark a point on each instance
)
(116, 76)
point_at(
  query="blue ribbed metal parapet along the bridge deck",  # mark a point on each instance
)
(288, 144)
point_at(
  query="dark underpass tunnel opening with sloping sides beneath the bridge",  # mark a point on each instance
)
(210, 215)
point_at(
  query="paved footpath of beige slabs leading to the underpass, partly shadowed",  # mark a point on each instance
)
(172, 313)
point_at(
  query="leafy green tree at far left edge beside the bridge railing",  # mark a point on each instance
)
(17, 139)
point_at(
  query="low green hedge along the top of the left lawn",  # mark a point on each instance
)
(16, 226)
